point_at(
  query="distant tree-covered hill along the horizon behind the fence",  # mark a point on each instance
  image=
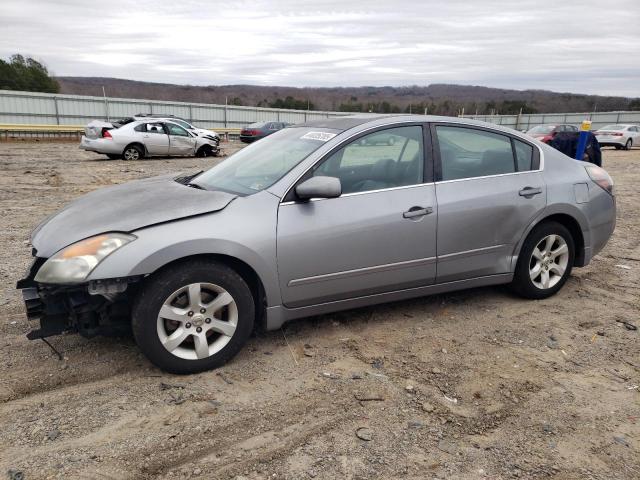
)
(437, 98)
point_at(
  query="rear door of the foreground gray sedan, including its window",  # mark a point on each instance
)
(489, 189)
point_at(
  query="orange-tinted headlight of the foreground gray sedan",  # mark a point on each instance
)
(74, 263)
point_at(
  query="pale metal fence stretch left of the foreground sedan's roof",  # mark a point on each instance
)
(54, 109)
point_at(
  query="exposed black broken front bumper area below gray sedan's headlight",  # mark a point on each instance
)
(100, 307)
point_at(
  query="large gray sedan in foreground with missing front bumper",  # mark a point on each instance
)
(314, 219)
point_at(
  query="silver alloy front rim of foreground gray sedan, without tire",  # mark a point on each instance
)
(197, 321)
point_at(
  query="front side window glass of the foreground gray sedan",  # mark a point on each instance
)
(383, 159)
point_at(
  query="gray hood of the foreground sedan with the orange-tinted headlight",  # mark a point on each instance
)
(124, 208)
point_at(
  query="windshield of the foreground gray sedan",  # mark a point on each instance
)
(263, 163)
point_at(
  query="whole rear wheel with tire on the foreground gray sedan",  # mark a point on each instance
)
(545, 261)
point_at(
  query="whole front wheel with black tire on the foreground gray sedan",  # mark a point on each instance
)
(193, 317)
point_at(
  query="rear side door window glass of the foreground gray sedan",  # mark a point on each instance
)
(469, 153)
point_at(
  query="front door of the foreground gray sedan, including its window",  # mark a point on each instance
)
(379, 236)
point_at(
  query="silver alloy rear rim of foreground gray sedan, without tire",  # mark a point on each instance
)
(548, 262)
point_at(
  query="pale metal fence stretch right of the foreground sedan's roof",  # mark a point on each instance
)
(527, 121)
